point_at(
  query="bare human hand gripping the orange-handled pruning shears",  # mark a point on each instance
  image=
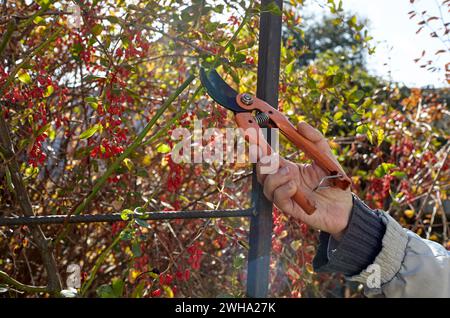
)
(333, 205)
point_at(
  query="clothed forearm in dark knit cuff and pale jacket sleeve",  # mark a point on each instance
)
(375, 244)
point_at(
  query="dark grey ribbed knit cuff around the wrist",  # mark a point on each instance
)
(358, 248)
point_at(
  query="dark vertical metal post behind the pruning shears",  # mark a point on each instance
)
(261, 225)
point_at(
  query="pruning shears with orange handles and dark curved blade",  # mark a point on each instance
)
(252, 112)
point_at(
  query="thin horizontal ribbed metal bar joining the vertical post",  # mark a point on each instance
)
(115, 217)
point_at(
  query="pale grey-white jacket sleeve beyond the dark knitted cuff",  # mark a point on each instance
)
(407, 266)
